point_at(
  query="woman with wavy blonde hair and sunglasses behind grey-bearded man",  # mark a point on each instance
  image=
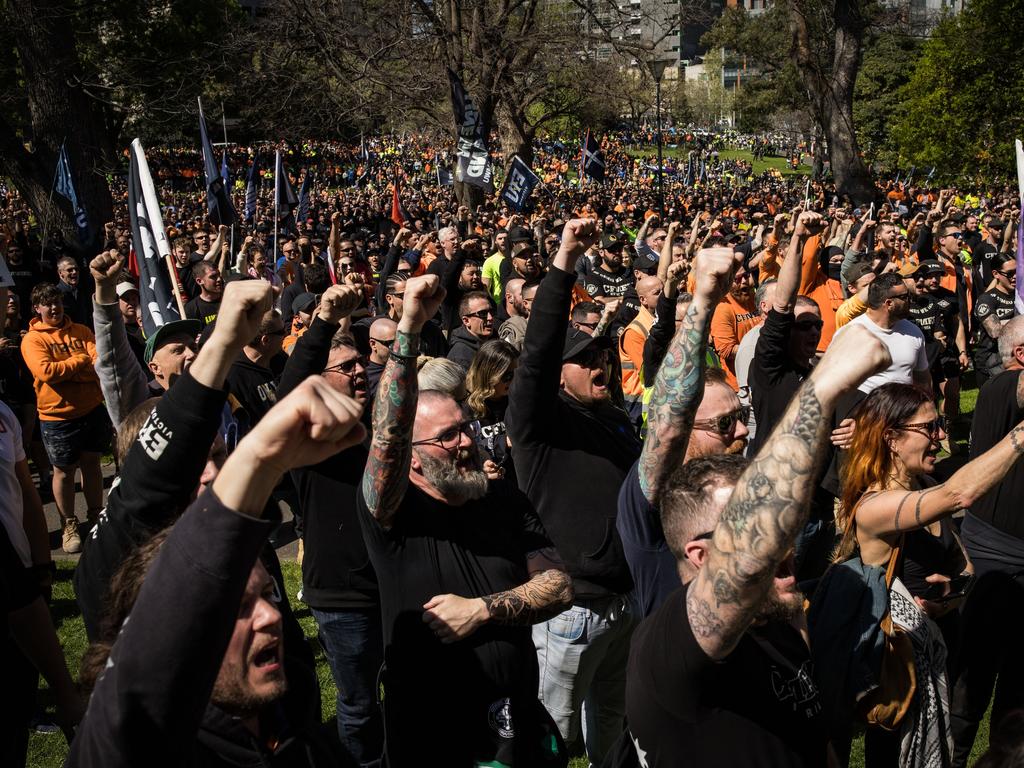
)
(488, 383)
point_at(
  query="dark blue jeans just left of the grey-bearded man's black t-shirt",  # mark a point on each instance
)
(355, 649)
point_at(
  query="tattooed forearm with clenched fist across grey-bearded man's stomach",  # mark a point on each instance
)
(547, 594)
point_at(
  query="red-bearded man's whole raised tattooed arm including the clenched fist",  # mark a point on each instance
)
(679, 385)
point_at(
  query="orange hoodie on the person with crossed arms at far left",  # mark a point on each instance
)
(61, 361)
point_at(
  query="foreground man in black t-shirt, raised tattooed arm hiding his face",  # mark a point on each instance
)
(720, 674)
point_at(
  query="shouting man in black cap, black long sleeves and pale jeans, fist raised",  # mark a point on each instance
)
(573, 450)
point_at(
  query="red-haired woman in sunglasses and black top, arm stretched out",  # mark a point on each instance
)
(890, 505)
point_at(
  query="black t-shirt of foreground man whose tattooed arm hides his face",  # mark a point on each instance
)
(759, 707)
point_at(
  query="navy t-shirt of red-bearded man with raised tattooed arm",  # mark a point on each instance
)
(653, 566)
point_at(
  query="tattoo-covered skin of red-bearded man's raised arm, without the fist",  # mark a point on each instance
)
(678, 392)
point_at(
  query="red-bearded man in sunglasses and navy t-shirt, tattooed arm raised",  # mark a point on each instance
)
(690, 416)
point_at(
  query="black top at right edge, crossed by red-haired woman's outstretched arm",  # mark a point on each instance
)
(995, 415)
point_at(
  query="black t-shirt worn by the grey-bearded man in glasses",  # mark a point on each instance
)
(462, 701)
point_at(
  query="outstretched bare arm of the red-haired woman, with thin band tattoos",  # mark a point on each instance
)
(900, 511)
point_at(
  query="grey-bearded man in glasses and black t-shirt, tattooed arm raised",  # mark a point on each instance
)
(464, 568)
